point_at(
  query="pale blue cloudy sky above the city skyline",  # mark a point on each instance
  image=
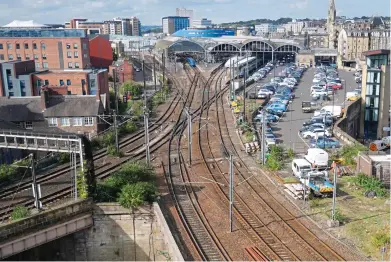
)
(150, 12)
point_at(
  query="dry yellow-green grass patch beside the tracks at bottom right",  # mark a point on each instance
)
(364, 219)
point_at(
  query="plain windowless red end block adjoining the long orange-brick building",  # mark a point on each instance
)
(101, 54)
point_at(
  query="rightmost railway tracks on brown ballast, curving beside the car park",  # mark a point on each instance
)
(281, 231)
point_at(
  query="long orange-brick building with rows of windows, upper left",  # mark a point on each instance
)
(49, 48)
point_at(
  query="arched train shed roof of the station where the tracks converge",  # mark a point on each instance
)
(228, 44)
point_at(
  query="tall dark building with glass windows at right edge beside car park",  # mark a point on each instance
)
(375, 94)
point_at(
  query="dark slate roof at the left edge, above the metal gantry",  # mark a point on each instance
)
(17, 109)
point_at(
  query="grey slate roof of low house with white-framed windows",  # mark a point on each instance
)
(73, 105)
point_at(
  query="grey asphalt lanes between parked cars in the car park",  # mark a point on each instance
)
(287, 129)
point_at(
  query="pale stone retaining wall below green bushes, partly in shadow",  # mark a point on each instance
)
(119, 236)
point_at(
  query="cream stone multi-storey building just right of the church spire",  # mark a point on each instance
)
(352, 44)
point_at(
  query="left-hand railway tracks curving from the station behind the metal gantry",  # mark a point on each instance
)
(61, 176)
